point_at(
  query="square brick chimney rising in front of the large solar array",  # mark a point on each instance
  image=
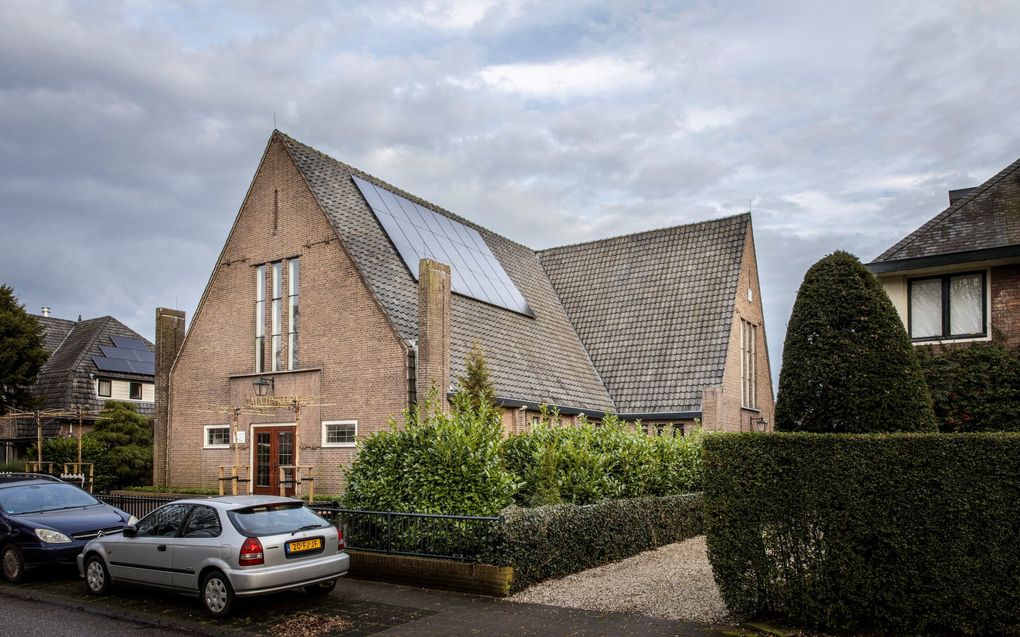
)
(434, 331)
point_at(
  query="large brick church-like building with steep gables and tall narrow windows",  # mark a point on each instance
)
(340, 300)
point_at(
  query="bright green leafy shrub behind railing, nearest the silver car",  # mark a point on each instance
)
(437, 462)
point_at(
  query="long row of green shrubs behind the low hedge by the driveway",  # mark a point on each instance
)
(593, 463)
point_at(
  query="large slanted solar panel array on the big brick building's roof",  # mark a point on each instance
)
(419, 233)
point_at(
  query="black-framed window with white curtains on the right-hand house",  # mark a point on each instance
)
(948, 307)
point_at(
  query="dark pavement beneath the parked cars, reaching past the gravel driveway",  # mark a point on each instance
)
(363, 608)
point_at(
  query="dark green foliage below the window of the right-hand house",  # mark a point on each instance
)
(975, 388)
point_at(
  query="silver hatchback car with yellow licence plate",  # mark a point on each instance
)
(221, 549)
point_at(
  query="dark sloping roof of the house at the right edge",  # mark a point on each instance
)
(987, 219)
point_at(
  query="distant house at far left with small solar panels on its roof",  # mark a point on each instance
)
(90, 362)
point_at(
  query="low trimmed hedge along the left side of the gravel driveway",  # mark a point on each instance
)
(557, 541)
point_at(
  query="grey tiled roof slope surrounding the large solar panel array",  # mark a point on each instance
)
(531, 359)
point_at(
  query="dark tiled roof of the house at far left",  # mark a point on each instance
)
(65, 381)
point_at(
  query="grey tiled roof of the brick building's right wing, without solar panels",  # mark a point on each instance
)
(654, 309)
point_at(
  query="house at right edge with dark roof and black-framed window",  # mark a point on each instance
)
(956, 280)
